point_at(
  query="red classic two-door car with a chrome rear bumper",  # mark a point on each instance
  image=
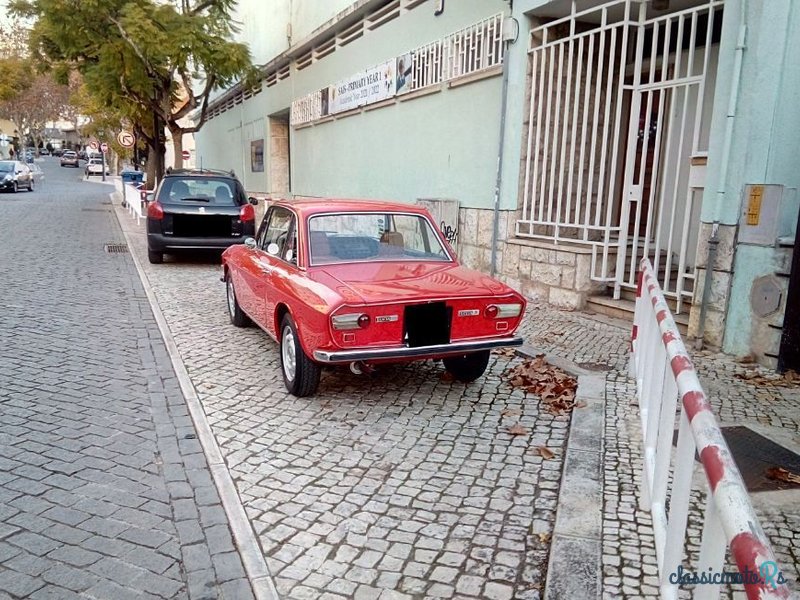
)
(360, 283)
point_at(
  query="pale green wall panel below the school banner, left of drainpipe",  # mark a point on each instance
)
(435, 146)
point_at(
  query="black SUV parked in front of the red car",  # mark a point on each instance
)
(198, 209)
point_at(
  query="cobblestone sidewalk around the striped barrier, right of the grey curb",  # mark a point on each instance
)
(629, 560)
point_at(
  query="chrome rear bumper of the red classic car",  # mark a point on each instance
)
(405, 353)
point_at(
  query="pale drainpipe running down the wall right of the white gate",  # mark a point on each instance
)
(713, 241)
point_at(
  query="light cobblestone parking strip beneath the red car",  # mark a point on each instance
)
(404, 485)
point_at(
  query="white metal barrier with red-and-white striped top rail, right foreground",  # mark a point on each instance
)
(664, 372)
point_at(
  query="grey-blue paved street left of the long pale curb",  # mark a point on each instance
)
(104, 492)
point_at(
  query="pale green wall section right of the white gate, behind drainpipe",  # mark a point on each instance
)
(765, 143)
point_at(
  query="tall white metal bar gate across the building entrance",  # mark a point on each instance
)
(619, 112)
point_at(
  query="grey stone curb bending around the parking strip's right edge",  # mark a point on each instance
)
(575, 564)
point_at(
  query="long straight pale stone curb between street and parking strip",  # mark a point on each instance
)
(246, 541)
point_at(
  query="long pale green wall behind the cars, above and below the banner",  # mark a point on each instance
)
(441, 145)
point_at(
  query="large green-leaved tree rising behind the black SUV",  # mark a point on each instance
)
(143, 57)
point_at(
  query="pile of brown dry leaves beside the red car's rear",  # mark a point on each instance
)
(555, 387)
